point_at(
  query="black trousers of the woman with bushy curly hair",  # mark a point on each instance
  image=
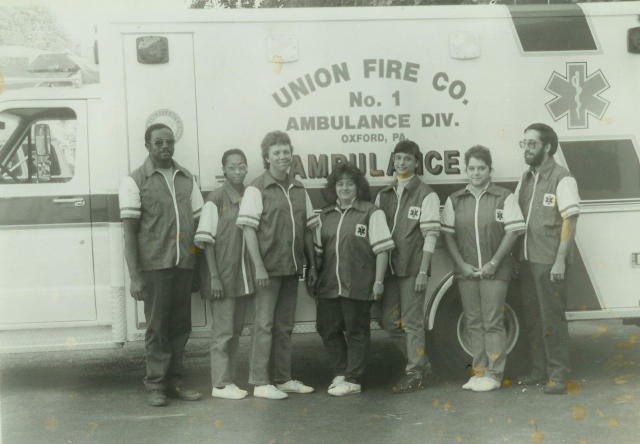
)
(343, 325)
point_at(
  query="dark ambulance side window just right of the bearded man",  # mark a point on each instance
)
(604, 169)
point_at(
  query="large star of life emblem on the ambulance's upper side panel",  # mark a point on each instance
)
(577, 95)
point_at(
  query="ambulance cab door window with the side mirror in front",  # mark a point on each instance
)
(38, 145)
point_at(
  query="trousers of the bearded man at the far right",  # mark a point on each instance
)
(544, 304)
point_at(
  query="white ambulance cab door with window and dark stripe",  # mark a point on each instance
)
(46, 262)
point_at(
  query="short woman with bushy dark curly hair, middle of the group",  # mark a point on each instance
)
(352, 243)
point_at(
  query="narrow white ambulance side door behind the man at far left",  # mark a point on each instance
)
(160, 88)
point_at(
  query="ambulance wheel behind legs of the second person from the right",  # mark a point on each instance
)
(449, 344)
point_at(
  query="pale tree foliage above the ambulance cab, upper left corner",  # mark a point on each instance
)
(33, 27)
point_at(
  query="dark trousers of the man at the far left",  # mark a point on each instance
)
(167, 309)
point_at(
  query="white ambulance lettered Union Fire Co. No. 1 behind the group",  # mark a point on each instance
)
(346, 84)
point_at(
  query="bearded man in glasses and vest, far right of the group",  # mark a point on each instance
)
(549, 200)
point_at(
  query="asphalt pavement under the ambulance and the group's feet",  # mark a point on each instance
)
(98, 397)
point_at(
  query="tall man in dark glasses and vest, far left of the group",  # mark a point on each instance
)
(159, 204)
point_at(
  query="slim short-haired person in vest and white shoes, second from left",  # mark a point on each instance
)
(229, 280)
